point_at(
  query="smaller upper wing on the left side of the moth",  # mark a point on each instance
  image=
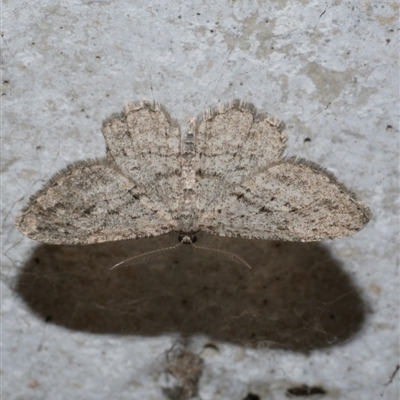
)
(144, 142)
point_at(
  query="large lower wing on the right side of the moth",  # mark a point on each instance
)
(294, 200)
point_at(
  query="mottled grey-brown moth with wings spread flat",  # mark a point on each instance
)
(226, 175)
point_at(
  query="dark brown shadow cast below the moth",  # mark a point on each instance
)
(296, 296)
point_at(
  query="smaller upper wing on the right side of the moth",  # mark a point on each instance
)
(233, 143)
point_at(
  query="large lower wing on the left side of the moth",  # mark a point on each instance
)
(90, 202)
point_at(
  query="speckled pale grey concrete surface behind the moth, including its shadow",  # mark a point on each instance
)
(315, 318)
